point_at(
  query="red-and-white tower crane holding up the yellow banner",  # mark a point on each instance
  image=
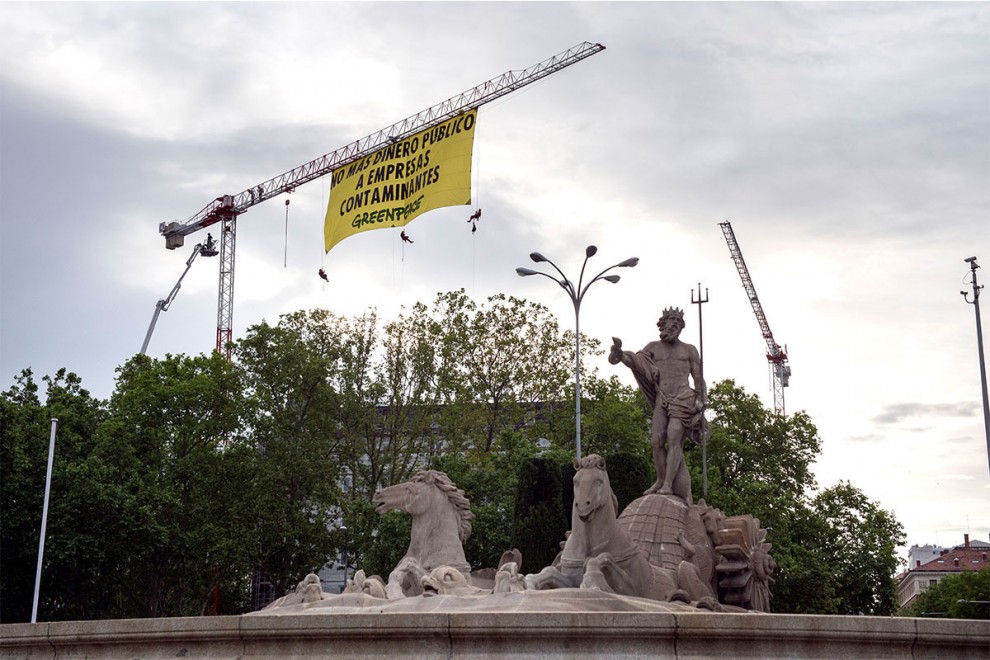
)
(226, 208)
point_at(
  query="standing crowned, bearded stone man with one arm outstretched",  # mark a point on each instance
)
(661, 370)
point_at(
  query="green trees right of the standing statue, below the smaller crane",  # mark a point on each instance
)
(835, 550)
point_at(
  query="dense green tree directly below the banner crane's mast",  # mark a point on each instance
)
(172, 446)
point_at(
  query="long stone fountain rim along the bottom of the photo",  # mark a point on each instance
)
(516, 634)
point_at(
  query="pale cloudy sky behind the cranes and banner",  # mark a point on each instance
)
(848, 144)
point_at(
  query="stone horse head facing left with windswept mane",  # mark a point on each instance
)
(441, 518)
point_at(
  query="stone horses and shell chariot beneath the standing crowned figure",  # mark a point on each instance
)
(660, 548)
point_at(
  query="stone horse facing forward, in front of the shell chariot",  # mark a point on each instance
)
(599, 554)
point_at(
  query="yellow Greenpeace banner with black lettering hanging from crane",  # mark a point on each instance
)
(397, 183)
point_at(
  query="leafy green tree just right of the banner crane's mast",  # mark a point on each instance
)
(311, 401)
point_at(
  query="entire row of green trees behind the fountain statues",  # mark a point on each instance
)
(199, 473)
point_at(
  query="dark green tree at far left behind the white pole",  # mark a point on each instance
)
(82, 507)
